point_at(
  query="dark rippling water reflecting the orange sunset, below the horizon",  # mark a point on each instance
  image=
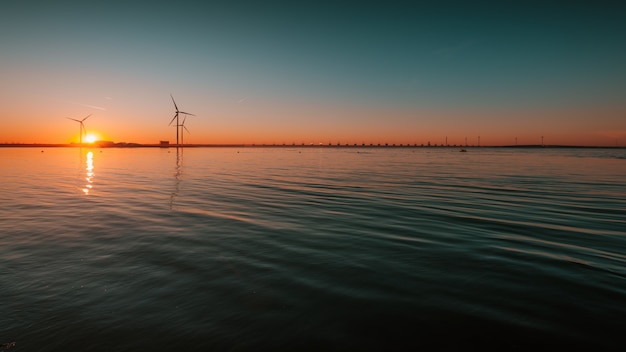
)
(315, 249)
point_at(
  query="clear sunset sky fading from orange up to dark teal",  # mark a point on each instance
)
(264, 72)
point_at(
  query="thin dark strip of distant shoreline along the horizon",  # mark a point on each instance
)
(139, 145)
